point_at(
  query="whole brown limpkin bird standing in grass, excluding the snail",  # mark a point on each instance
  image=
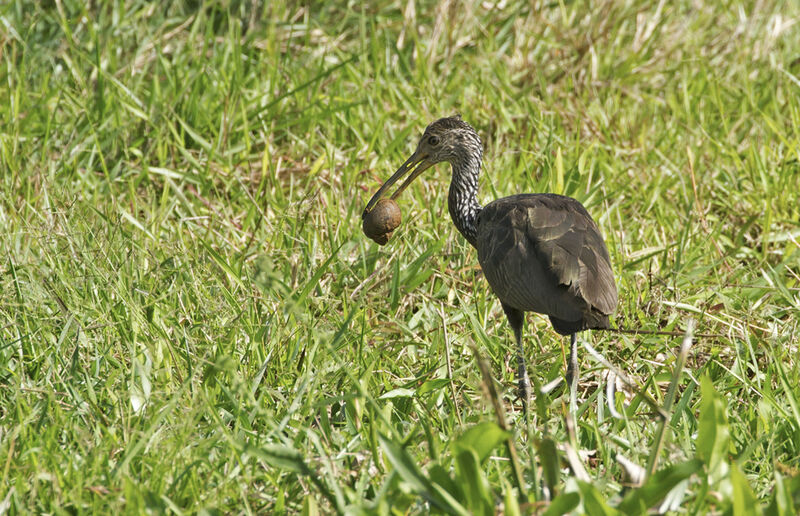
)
(539, 252)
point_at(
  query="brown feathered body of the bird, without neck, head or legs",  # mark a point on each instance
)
(544, 253)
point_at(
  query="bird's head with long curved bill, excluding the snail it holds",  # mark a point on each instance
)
(448, 139)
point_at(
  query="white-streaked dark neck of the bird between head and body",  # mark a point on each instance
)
(463, 198)
